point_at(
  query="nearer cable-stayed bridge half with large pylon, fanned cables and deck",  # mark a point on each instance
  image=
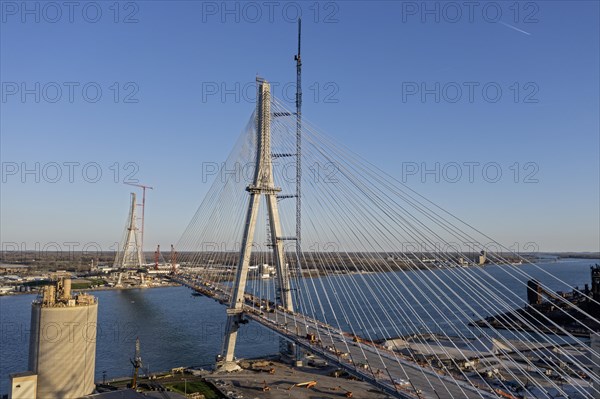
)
(383, 282)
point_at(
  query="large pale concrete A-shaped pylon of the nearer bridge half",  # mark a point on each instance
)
(262, 185)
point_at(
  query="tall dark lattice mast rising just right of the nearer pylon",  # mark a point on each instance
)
(298, 152)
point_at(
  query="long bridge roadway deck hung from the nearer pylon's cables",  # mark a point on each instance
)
(379, 366)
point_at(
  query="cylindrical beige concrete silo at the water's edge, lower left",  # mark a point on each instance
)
(62, 348)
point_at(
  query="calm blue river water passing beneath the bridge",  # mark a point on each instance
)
(177, 329)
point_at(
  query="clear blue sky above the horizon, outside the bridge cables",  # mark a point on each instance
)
(364, 55)
